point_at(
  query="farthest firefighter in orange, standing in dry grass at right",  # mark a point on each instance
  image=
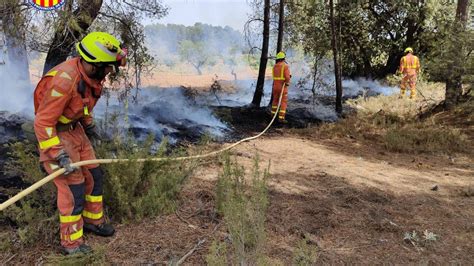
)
(409, 67)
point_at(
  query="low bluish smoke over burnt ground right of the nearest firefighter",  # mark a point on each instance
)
(163, 113)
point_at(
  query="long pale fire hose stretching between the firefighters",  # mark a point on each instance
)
(59, 172)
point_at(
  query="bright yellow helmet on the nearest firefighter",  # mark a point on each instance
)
(100, 47)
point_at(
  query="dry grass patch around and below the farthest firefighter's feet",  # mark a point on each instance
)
(395, 123)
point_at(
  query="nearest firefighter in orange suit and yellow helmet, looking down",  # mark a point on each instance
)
(64, 99)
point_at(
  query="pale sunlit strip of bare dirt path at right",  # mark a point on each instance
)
(291, 155)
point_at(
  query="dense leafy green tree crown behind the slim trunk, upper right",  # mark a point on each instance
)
(375, 32)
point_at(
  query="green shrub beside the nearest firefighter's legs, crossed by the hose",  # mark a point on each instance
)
(134, 190)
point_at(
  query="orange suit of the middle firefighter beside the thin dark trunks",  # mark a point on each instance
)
(281, 75)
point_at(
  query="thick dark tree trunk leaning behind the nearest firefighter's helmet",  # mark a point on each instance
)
(64, 40)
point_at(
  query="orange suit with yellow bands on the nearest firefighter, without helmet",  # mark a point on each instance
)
(64, 99)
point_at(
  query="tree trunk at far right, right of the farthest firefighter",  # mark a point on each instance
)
(456, 66)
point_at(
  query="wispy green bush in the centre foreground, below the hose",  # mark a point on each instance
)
(243, 207)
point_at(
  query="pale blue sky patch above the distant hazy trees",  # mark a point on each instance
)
(231, 13)
